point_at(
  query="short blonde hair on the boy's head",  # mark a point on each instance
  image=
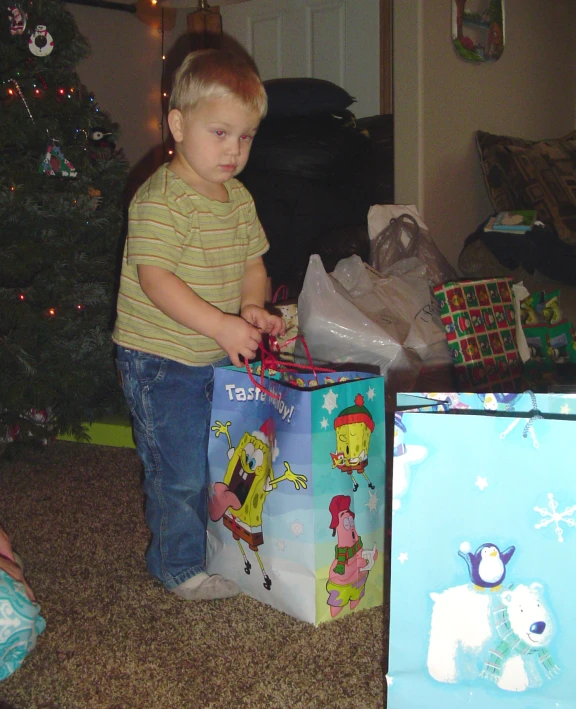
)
(213, 73)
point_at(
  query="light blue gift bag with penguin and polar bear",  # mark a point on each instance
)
(482, 610)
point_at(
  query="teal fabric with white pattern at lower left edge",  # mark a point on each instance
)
(20, 624)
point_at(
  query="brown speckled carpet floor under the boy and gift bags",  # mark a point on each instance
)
(116, 640)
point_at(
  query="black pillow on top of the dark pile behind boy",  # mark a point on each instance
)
(305, 96)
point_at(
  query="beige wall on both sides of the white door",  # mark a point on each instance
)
(439, 99)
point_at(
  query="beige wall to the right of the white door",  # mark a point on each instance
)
(440, 101)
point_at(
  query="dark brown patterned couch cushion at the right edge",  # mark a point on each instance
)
(530, 174)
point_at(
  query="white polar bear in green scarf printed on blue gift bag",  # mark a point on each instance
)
(501, 637)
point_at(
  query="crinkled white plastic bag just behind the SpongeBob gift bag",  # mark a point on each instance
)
(368, 320)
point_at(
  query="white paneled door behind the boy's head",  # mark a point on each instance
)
(337, 40)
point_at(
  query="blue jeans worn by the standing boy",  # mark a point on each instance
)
(170, 405)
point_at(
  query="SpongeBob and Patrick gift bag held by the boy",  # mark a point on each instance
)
(296, 490)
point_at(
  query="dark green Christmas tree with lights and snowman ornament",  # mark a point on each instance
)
(61, 225)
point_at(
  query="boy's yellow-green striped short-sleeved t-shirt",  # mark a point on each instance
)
(204, 242)
